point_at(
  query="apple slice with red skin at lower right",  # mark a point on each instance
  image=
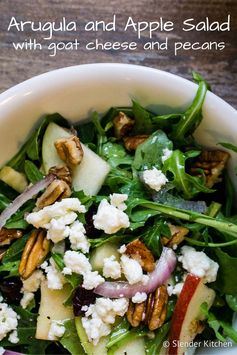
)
(186, 317)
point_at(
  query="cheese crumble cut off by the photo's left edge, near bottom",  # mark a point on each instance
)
(8, 320)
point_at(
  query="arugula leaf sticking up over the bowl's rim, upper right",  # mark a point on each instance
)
(192, 117)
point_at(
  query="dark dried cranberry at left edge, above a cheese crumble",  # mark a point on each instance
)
(11, 289)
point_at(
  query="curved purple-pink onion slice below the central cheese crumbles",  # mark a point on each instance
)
(164, 267)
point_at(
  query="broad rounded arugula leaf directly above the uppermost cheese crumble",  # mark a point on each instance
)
(149, 153)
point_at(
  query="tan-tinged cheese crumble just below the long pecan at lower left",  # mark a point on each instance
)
(30, 286)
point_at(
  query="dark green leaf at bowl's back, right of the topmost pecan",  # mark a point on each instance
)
(143, 119)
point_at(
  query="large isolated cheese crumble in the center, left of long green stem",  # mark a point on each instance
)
(110, 219)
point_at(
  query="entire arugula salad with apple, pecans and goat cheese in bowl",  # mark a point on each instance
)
(118, 236)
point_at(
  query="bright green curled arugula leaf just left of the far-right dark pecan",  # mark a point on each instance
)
(189, 185)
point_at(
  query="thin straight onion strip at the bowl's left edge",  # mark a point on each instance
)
(24, 197)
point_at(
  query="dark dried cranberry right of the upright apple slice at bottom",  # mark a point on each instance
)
(82, 297)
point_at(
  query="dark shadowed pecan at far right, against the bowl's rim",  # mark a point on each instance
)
(212, 162)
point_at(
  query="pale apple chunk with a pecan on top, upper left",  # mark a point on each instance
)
(88, 176)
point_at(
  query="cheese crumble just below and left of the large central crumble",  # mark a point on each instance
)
(78, 238)
